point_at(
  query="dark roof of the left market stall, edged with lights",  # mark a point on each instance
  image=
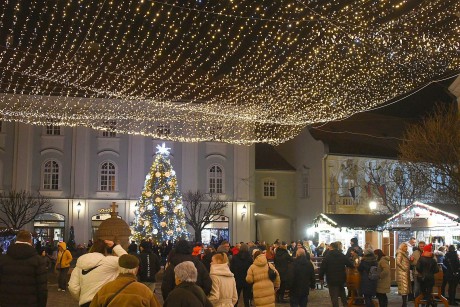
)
(355, 221)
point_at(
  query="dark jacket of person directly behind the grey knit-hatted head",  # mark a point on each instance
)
(203, 280)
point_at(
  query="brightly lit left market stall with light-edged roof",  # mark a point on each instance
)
(342, 227)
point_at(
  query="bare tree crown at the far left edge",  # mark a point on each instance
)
(21, 208)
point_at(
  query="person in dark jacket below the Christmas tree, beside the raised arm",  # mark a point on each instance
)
(149, 265)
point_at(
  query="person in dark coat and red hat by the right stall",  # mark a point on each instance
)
(426, 268)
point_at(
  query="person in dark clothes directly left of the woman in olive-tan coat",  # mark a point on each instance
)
(368, 269)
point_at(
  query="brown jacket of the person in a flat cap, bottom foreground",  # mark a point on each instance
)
(135, 294)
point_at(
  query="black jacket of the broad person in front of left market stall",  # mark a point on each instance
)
(333, 266)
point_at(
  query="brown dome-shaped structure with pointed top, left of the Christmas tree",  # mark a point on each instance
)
(114, 229)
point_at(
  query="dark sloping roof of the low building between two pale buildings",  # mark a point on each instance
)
(267, 158)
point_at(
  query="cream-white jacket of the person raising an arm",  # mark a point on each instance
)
(84, 284)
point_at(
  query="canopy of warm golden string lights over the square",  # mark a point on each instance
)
(236, 71)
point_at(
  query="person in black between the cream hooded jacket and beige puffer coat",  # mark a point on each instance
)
(239, 266)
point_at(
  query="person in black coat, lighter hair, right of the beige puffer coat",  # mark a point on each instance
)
(301, 279)
